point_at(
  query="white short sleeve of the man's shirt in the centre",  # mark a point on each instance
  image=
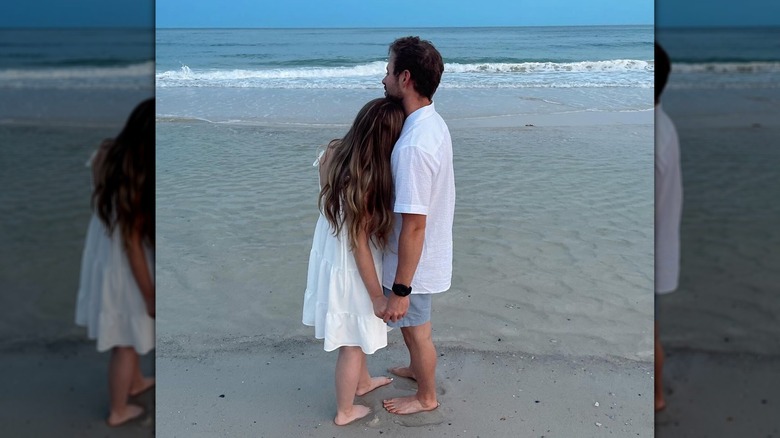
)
(413, 170)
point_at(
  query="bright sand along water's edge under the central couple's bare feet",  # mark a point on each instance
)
(225, 392)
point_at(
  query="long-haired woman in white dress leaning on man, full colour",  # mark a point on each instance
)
(344, 299)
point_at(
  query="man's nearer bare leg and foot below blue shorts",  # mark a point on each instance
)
(422, 354)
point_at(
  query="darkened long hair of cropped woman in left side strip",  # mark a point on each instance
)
(124, 183)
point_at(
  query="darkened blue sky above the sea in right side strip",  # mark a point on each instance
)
(696, 13)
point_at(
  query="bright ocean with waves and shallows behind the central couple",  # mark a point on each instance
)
(552, 133)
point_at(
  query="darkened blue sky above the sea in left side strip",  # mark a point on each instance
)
(76, 13)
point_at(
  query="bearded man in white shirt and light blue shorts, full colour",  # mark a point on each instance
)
(418, 262)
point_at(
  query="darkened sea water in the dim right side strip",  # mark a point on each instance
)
(724, 98)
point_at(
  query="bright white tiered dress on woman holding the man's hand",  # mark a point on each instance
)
(336, 301)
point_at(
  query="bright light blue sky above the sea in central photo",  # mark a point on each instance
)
(400, 13)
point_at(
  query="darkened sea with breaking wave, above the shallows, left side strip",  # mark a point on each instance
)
(74, 76)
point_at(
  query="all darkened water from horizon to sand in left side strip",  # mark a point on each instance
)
(62, 91)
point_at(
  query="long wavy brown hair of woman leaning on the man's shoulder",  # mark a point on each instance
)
(358, 189)
